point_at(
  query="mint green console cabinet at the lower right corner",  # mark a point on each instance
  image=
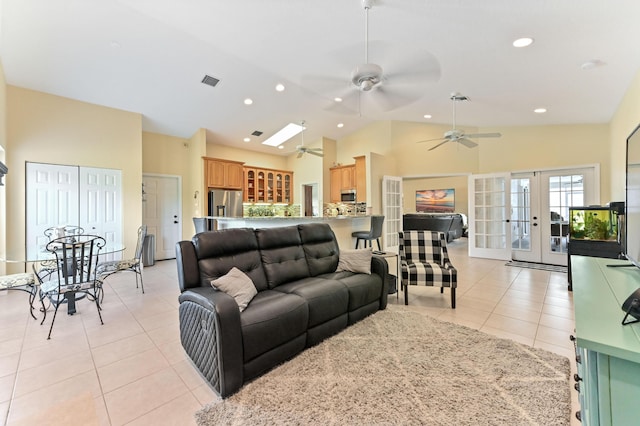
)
(607, 352)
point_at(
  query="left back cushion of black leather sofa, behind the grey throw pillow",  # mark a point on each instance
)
(219, 251)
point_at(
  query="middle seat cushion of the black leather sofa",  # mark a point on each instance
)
(327, 298)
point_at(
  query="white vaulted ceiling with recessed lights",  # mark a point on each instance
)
(149, 56)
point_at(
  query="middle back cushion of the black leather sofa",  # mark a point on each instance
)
(282, 254)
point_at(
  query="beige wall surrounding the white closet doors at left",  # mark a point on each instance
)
(51, 129)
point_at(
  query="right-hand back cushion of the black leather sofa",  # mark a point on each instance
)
(320, 247)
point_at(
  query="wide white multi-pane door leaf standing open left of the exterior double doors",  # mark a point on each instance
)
(489, 230)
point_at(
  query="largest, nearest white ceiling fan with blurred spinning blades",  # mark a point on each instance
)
(391, 88)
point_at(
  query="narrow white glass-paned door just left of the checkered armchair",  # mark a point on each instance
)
(392, 211)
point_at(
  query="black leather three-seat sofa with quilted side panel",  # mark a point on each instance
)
(301, 299)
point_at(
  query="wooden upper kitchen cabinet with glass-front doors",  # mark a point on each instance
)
(268, 185)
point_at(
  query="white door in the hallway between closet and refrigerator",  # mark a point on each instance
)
(161, 212)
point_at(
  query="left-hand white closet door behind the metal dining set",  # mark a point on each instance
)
(52, 200)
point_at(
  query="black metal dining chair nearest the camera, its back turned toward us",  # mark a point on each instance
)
(76, 259)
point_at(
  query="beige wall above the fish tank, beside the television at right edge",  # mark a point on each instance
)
(625, 120)
